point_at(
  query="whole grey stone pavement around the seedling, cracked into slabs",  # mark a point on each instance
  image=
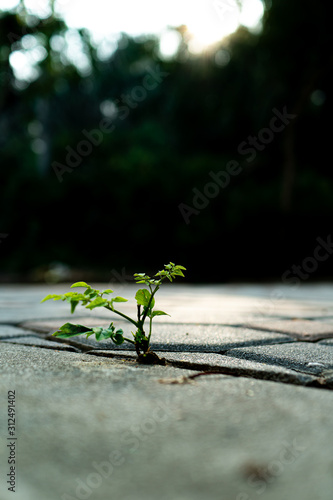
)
(242, 410)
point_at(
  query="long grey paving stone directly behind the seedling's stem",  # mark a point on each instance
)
(170, 336)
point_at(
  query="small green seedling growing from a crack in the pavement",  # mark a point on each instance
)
(145, 298)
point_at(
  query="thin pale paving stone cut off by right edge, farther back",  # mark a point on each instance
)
(300, 329)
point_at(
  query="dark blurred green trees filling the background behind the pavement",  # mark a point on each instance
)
(120, 206)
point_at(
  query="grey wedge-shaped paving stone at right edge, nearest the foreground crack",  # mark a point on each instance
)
(302, 356)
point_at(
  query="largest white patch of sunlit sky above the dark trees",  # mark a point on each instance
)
(208, 21)
